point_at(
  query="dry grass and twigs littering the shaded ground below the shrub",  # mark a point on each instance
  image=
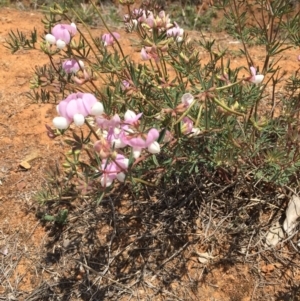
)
(149, 247)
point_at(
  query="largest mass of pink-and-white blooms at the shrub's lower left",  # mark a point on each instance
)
(113, 133)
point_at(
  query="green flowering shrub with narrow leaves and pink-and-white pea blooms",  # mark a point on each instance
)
(143, 121)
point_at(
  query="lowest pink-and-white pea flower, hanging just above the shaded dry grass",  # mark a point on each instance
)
(114, 170)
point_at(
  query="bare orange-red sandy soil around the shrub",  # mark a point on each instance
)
(23, 138)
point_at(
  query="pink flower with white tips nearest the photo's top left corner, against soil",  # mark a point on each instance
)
(61, 35)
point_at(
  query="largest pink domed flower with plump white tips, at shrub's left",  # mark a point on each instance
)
(75, 108)
